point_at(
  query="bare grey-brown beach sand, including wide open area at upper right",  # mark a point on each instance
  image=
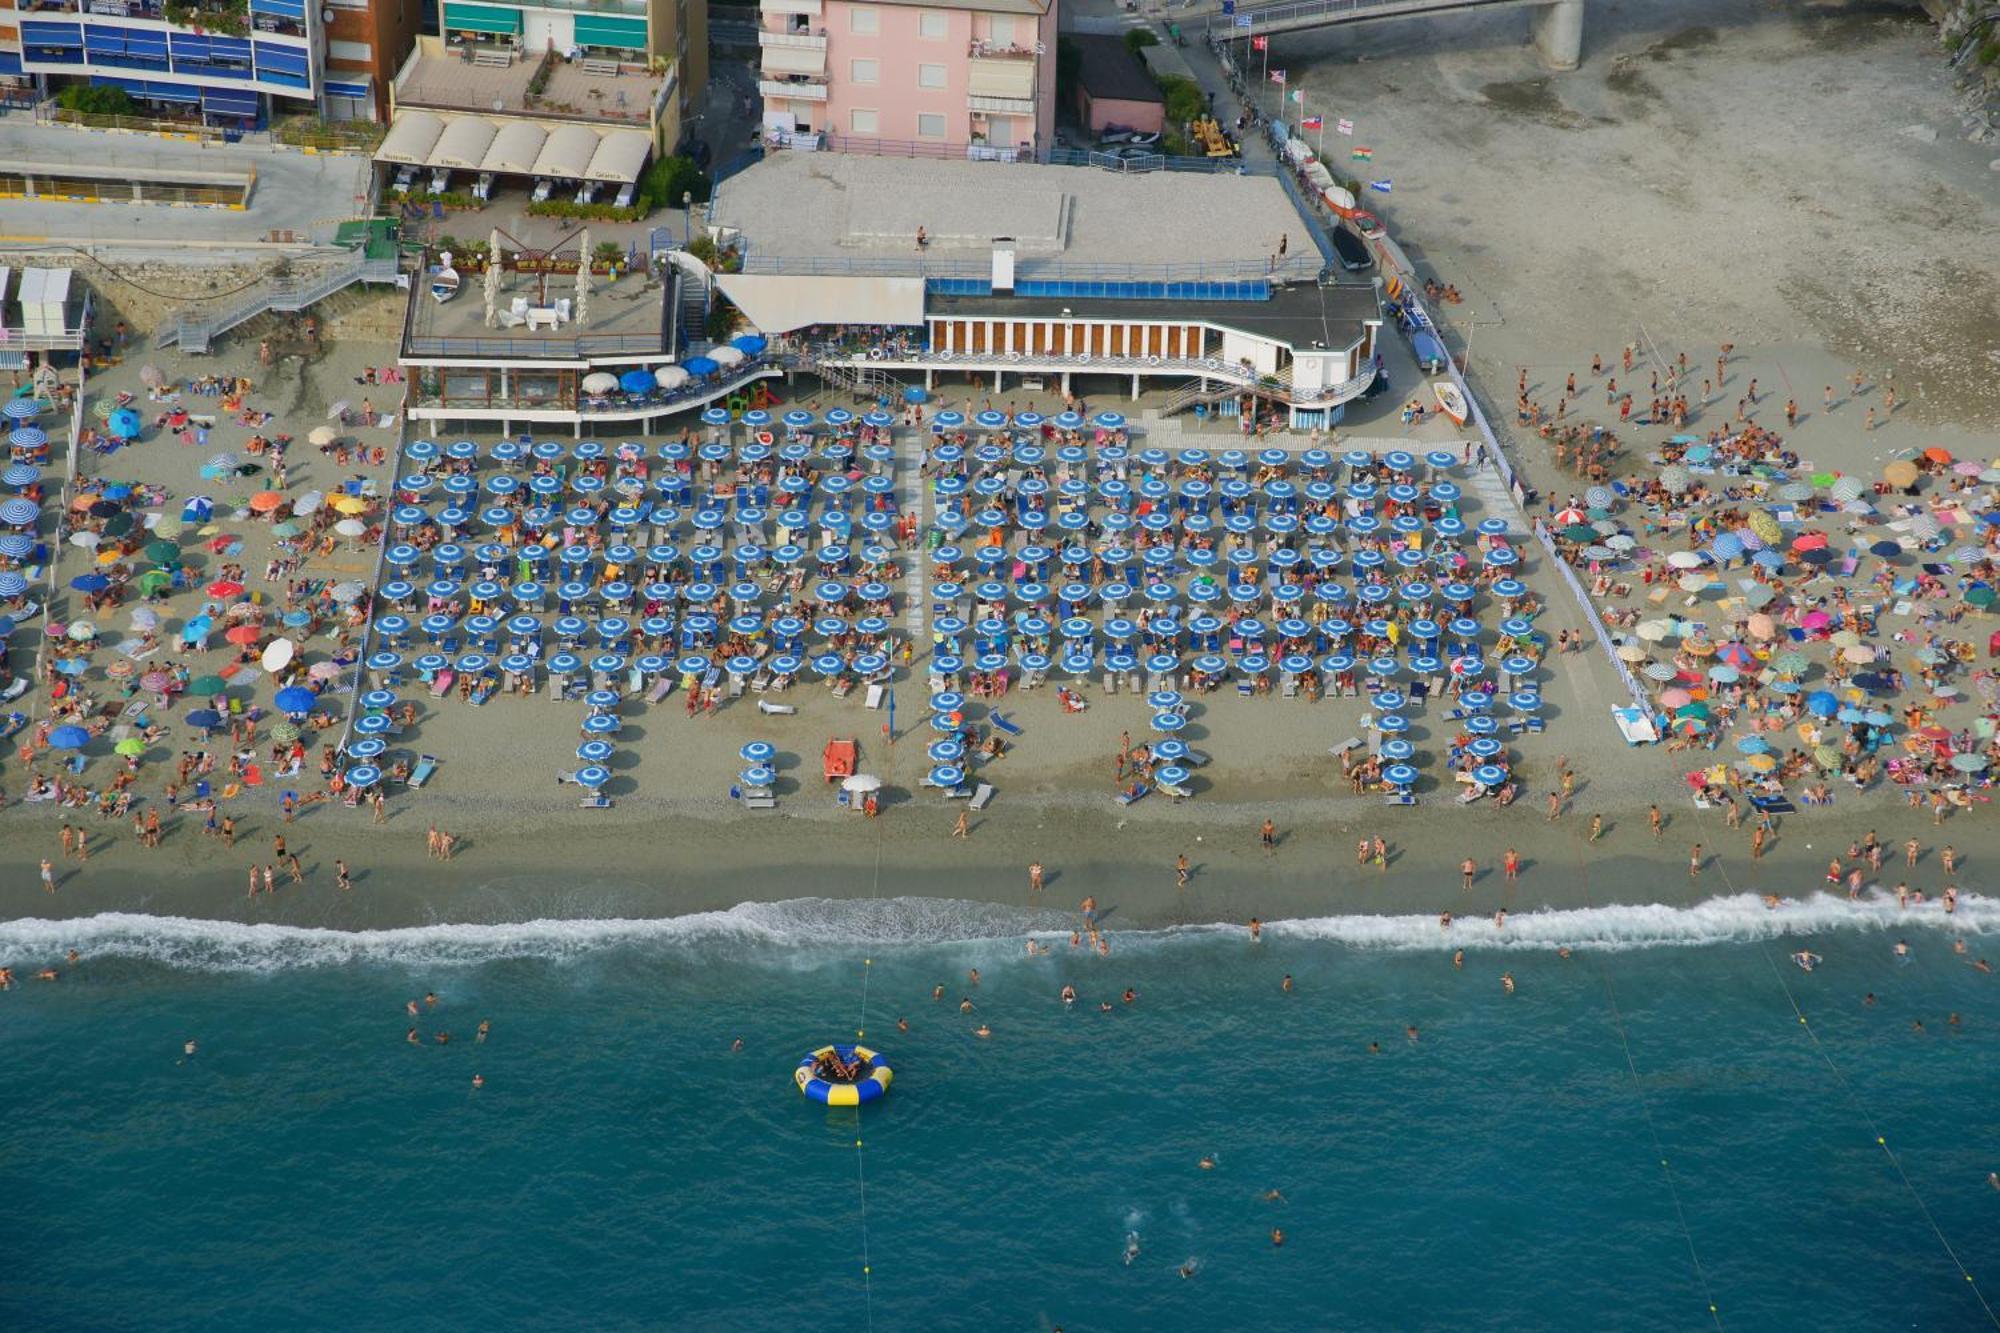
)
(677, 844)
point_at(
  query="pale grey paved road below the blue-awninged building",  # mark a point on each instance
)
(295, 193)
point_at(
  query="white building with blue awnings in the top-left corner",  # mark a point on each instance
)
(219, 63)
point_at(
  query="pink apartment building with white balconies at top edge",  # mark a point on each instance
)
(975, 77)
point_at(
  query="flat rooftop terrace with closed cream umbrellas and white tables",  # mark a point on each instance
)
(625, 315)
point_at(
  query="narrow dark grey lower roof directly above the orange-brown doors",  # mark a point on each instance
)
(1297, 315)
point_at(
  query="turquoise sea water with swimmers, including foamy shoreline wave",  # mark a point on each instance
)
(625, 1168)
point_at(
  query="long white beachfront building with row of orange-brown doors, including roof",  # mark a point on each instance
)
(1039, 279)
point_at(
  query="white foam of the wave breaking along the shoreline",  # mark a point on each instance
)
(885, 924)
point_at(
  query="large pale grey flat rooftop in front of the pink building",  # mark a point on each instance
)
(833, 205)
